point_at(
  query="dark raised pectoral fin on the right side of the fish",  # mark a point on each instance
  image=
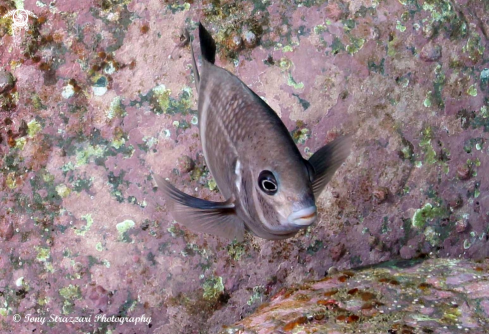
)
(326, 161)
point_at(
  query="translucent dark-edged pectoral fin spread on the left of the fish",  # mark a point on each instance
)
(217, 218)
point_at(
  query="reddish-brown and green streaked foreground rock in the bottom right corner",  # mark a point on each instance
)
(435, 296)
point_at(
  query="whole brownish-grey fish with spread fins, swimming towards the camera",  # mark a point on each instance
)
(269, 189)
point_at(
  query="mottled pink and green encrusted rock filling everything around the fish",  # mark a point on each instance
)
(95, 95)
